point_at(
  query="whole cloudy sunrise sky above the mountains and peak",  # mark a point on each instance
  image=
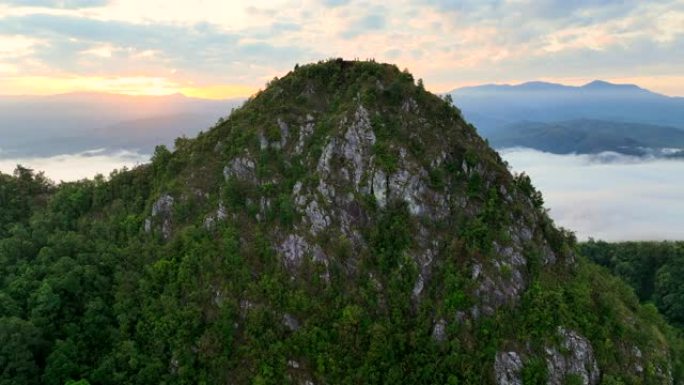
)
(224, 49)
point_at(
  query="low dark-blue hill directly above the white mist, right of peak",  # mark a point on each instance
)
(586, 136)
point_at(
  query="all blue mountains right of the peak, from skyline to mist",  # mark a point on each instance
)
(598, 116)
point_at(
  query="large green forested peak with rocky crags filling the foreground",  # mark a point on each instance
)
(344, 226)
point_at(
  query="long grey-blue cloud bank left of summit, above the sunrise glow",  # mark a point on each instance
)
(198, 48)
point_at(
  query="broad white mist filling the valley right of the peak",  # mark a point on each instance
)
(609, 196)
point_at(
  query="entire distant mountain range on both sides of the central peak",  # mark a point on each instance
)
(596, 117)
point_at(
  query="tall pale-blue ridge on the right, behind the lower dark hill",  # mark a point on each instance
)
(492, 107)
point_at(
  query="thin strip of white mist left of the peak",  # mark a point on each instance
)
(72, 167)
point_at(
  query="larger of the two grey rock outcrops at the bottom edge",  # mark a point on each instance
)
(576, 360)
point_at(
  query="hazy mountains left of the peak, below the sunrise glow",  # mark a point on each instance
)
(69, 123)
